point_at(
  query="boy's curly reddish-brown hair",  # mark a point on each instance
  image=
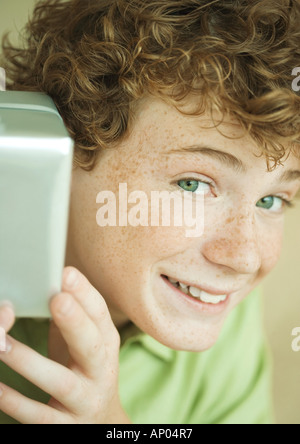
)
(98, 58)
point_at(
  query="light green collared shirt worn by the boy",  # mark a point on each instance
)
(228, 384)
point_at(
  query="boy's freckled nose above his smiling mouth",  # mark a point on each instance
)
(234, 244)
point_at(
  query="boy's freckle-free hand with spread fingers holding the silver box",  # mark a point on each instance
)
(85, 391)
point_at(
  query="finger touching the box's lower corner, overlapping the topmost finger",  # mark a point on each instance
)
(84, 339)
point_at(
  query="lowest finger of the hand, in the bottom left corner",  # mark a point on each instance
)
(28, 411)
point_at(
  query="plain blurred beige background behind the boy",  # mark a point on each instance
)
(281, 288)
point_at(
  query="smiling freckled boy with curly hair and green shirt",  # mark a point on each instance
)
(193, 96)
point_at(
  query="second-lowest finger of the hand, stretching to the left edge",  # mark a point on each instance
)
(56, 380)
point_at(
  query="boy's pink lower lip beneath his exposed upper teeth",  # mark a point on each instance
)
(189, 303)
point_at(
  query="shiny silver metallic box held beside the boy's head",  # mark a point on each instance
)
(36, 155)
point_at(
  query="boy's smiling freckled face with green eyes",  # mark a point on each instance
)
(243, 225)
